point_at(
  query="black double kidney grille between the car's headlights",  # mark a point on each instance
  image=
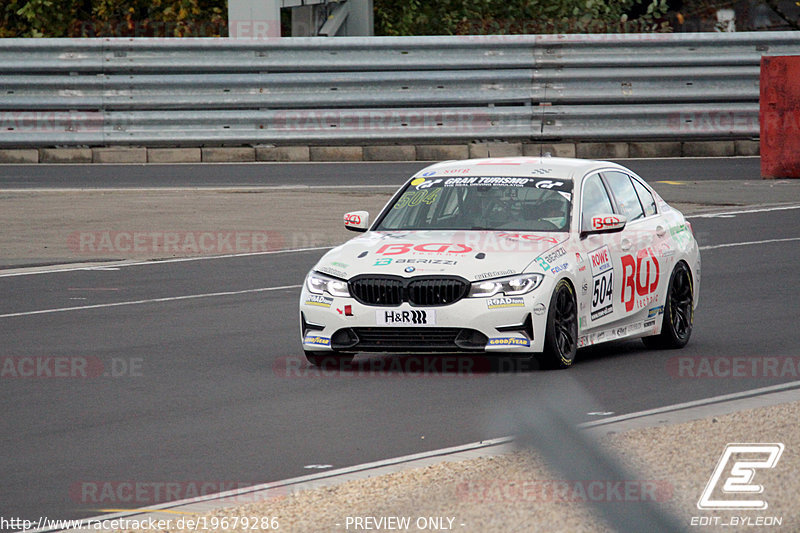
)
(422, 291)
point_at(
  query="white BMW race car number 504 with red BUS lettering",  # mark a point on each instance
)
(537, 256)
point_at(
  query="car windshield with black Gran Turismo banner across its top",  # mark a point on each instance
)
(481, 203)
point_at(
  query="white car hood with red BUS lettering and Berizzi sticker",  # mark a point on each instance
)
(473, 255)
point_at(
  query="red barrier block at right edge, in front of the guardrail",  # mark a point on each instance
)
(780, 117)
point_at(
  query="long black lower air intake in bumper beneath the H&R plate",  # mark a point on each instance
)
(379, 339)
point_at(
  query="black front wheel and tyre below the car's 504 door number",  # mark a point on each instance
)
(561, 333)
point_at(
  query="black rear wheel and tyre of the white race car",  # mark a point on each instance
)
(676, 324)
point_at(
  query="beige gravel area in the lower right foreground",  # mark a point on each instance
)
(518, 492)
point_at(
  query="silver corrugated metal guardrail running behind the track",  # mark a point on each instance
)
(62, 92)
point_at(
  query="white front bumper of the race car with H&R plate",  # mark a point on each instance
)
(501, 324)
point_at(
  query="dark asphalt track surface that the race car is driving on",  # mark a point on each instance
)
(219, 393)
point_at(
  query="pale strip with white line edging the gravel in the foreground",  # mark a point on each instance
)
(210, 502)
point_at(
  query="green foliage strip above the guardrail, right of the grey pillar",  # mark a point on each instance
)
(470, 17)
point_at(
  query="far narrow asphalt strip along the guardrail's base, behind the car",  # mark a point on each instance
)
(313, 174)
